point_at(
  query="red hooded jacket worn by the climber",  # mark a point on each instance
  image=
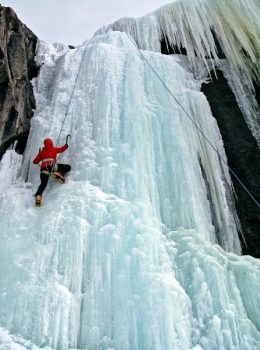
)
(48, 154)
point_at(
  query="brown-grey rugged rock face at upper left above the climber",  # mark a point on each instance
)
(17, 68)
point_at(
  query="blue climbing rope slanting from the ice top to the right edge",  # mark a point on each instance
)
(198, 128)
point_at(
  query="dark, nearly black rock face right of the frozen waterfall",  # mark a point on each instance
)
(243, 157)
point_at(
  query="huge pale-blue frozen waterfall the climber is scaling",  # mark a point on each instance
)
(125, 254)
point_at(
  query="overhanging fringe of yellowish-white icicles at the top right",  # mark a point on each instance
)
(197, 26)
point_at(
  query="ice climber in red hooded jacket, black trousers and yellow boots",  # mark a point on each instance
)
(47, 157)
